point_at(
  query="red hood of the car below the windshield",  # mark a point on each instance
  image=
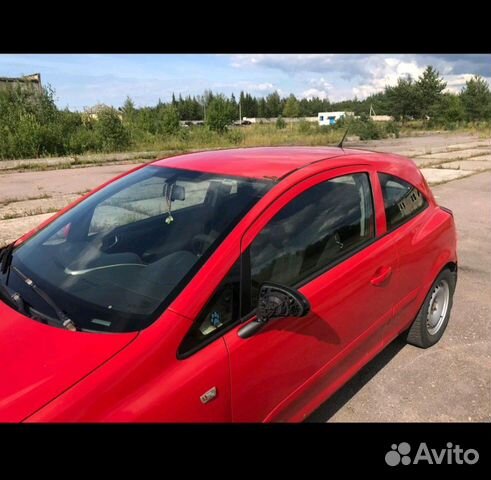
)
(41, 362)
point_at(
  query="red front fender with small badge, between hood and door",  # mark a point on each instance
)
(147, 383)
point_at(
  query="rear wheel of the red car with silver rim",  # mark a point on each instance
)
(432, 319)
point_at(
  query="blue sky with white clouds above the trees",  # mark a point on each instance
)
(83, 80)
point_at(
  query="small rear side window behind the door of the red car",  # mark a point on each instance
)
(402, 201)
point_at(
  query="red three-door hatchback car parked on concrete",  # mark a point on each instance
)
(242, 285)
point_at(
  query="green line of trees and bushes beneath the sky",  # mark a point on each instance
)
(31, 125)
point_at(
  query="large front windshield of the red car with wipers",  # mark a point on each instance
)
(114, 262)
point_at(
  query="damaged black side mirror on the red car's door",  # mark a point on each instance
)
(276, 301)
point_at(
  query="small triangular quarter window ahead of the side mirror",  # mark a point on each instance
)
(221, 311)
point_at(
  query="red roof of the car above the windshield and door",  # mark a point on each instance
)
(265, 162)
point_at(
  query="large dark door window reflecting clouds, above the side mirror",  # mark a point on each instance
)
(314, 230)
